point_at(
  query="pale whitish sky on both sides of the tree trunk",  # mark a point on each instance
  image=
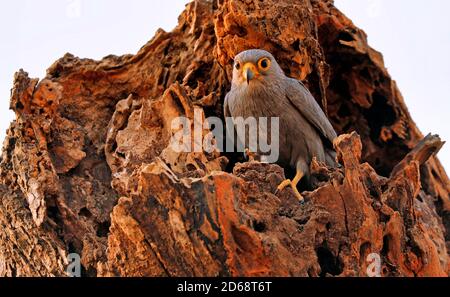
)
(413, 35)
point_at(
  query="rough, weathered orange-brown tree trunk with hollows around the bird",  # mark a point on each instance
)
(87, 167)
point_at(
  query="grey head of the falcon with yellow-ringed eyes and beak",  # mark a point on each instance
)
(255, 67)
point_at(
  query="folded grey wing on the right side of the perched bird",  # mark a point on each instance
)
(305, 103)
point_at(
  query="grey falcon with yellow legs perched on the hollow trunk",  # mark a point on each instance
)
(260, 88)
